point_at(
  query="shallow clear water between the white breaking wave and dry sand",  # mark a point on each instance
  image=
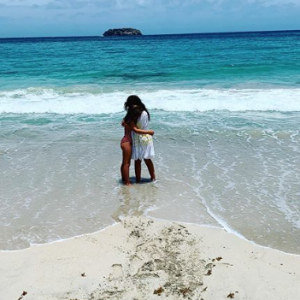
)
(234, 170)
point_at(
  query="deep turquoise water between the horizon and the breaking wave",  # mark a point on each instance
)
(222, 60)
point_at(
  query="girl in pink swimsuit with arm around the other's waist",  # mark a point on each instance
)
(129, 123)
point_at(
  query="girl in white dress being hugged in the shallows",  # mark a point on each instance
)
(142, 144)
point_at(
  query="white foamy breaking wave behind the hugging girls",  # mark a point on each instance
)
(56, 101)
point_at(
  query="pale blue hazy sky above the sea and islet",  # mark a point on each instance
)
(36, 18)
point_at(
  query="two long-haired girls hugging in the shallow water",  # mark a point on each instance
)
(137, 142)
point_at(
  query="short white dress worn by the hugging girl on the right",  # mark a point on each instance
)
(142, 144)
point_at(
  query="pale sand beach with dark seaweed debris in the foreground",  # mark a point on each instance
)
(149, 259)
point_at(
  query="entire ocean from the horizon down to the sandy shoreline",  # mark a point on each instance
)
(225, 109)
